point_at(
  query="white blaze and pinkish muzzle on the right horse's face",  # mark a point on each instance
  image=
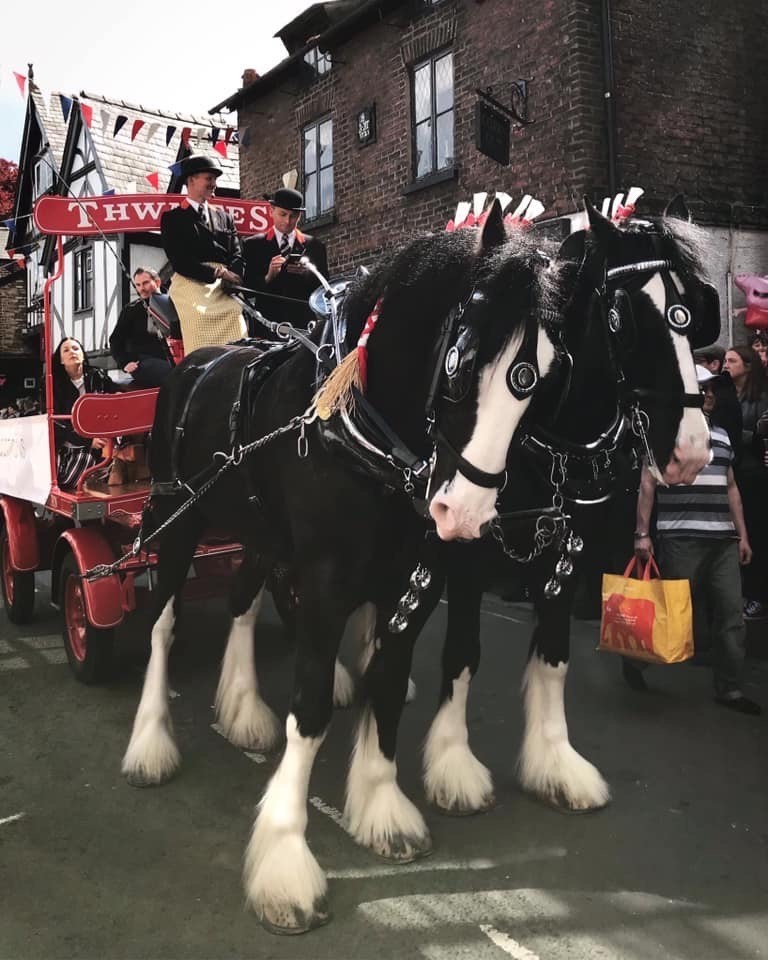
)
(692, 445)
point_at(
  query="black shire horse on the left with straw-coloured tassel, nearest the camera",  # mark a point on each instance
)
(350, 535)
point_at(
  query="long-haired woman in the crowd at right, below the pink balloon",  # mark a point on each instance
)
(746, 371)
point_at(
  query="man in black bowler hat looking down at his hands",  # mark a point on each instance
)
(272, 262)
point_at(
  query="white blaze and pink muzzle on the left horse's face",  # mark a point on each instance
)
(460, 507)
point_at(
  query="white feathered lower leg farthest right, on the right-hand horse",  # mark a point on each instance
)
(548, 764)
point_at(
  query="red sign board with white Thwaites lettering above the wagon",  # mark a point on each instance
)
(131, 213)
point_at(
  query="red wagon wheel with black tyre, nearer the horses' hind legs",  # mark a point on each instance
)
(89, 650)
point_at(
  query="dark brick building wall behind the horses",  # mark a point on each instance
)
(687, 112)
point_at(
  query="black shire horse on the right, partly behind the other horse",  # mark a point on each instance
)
(636, 307)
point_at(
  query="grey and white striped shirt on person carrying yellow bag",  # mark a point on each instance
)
(700, 509)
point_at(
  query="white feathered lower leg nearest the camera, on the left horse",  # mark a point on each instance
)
(281, 876)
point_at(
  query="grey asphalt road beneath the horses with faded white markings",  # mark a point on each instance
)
(675, 867)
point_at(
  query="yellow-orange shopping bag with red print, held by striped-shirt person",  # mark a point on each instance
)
(649, 619)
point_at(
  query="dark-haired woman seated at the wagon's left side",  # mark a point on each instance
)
(72, 377)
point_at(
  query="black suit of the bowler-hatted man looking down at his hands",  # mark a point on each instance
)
(258, 251)
